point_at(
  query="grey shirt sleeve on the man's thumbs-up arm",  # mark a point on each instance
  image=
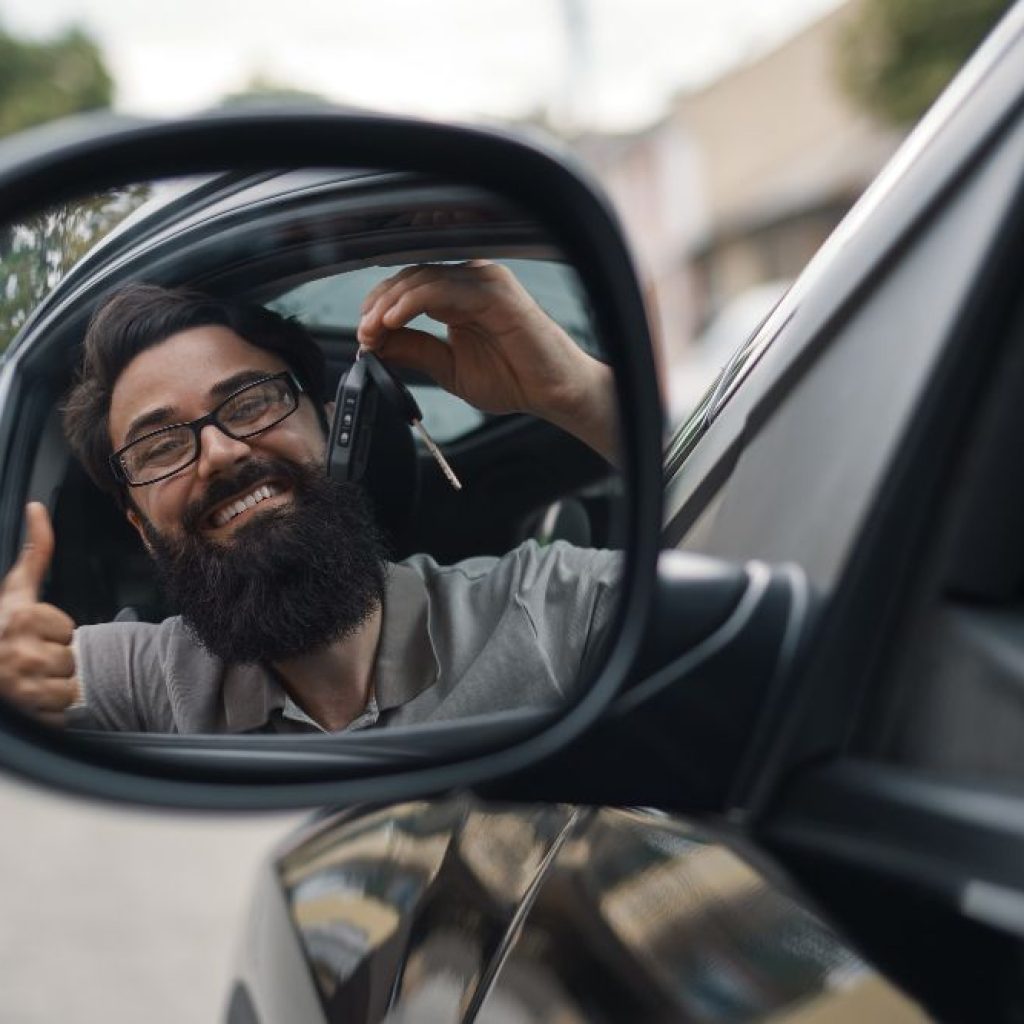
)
(122, 676)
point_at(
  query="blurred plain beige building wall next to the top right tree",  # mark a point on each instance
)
(783, 154)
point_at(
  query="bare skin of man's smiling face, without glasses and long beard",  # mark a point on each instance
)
(182, 379)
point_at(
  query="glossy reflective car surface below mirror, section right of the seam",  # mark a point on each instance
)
(648, 921)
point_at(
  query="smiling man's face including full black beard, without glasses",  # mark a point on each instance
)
(284, 578)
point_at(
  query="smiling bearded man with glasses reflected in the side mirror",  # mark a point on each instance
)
(205, 420)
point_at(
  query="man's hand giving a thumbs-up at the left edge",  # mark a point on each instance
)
(37, 667)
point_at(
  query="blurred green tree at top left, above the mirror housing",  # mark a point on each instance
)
(47, 80)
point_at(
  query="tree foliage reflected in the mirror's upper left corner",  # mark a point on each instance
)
(36, 253)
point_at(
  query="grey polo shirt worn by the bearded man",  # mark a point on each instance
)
(485, 635)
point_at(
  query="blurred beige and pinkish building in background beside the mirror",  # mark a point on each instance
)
(740, 184)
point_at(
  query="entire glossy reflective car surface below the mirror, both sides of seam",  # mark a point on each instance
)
(429, 912)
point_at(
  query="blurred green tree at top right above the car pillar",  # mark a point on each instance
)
(898, 56)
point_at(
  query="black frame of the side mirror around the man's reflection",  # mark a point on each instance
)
(60, 162)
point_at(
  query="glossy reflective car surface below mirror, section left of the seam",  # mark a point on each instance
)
(405, 908)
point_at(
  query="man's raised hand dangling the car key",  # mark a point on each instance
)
(503, 355)
